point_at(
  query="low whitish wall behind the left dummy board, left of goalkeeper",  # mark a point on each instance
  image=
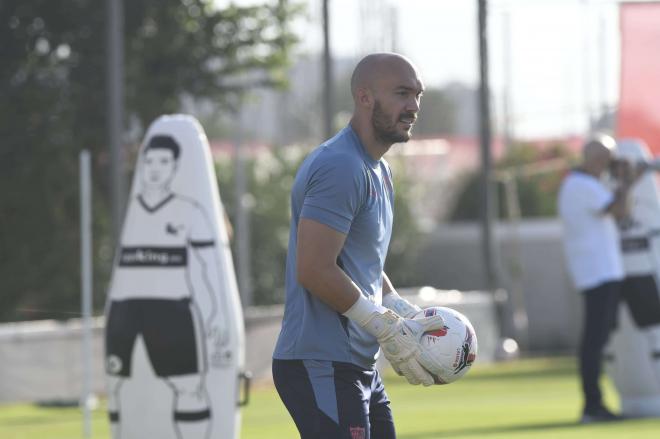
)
(42, 360)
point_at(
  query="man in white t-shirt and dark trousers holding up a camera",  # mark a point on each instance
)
(588, 210)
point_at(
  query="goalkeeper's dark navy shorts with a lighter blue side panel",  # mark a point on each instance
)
(334, 400)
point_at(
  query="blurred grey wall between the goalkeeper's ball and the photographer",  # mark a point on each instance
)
(451, 259)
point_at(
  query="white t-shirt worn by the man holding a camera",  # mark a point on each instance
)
(591, 237)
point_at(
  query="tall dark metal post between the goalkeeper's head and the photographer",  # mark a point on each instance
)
(485, 141)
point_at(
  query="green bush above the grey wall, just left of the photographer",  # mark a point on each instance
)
(537, 193)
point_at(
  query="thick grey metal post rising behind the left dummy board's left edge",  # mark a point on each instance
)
(115, 100)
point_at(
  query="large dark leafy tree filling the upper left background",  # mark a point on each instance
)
(52, 105)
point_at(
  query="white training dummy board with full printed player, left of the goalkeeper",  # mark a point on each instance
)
(174, 325)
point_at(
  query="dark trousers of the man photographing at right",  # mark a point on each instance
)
(600, 316)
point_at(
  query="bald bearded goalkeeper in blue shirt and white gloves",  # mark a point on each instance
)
(340, 305)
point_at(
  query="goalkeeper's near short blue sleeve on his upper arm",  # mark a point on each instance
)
(334, 192)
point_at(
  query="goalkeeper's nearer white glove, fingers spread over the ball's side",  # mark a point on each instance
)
(398, 337)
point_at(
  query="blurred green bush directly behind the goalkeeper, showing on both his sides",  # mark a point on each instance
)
(270, 177)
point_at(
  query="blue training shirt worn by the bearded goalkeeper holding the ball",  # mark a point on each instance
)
(340, 185)
